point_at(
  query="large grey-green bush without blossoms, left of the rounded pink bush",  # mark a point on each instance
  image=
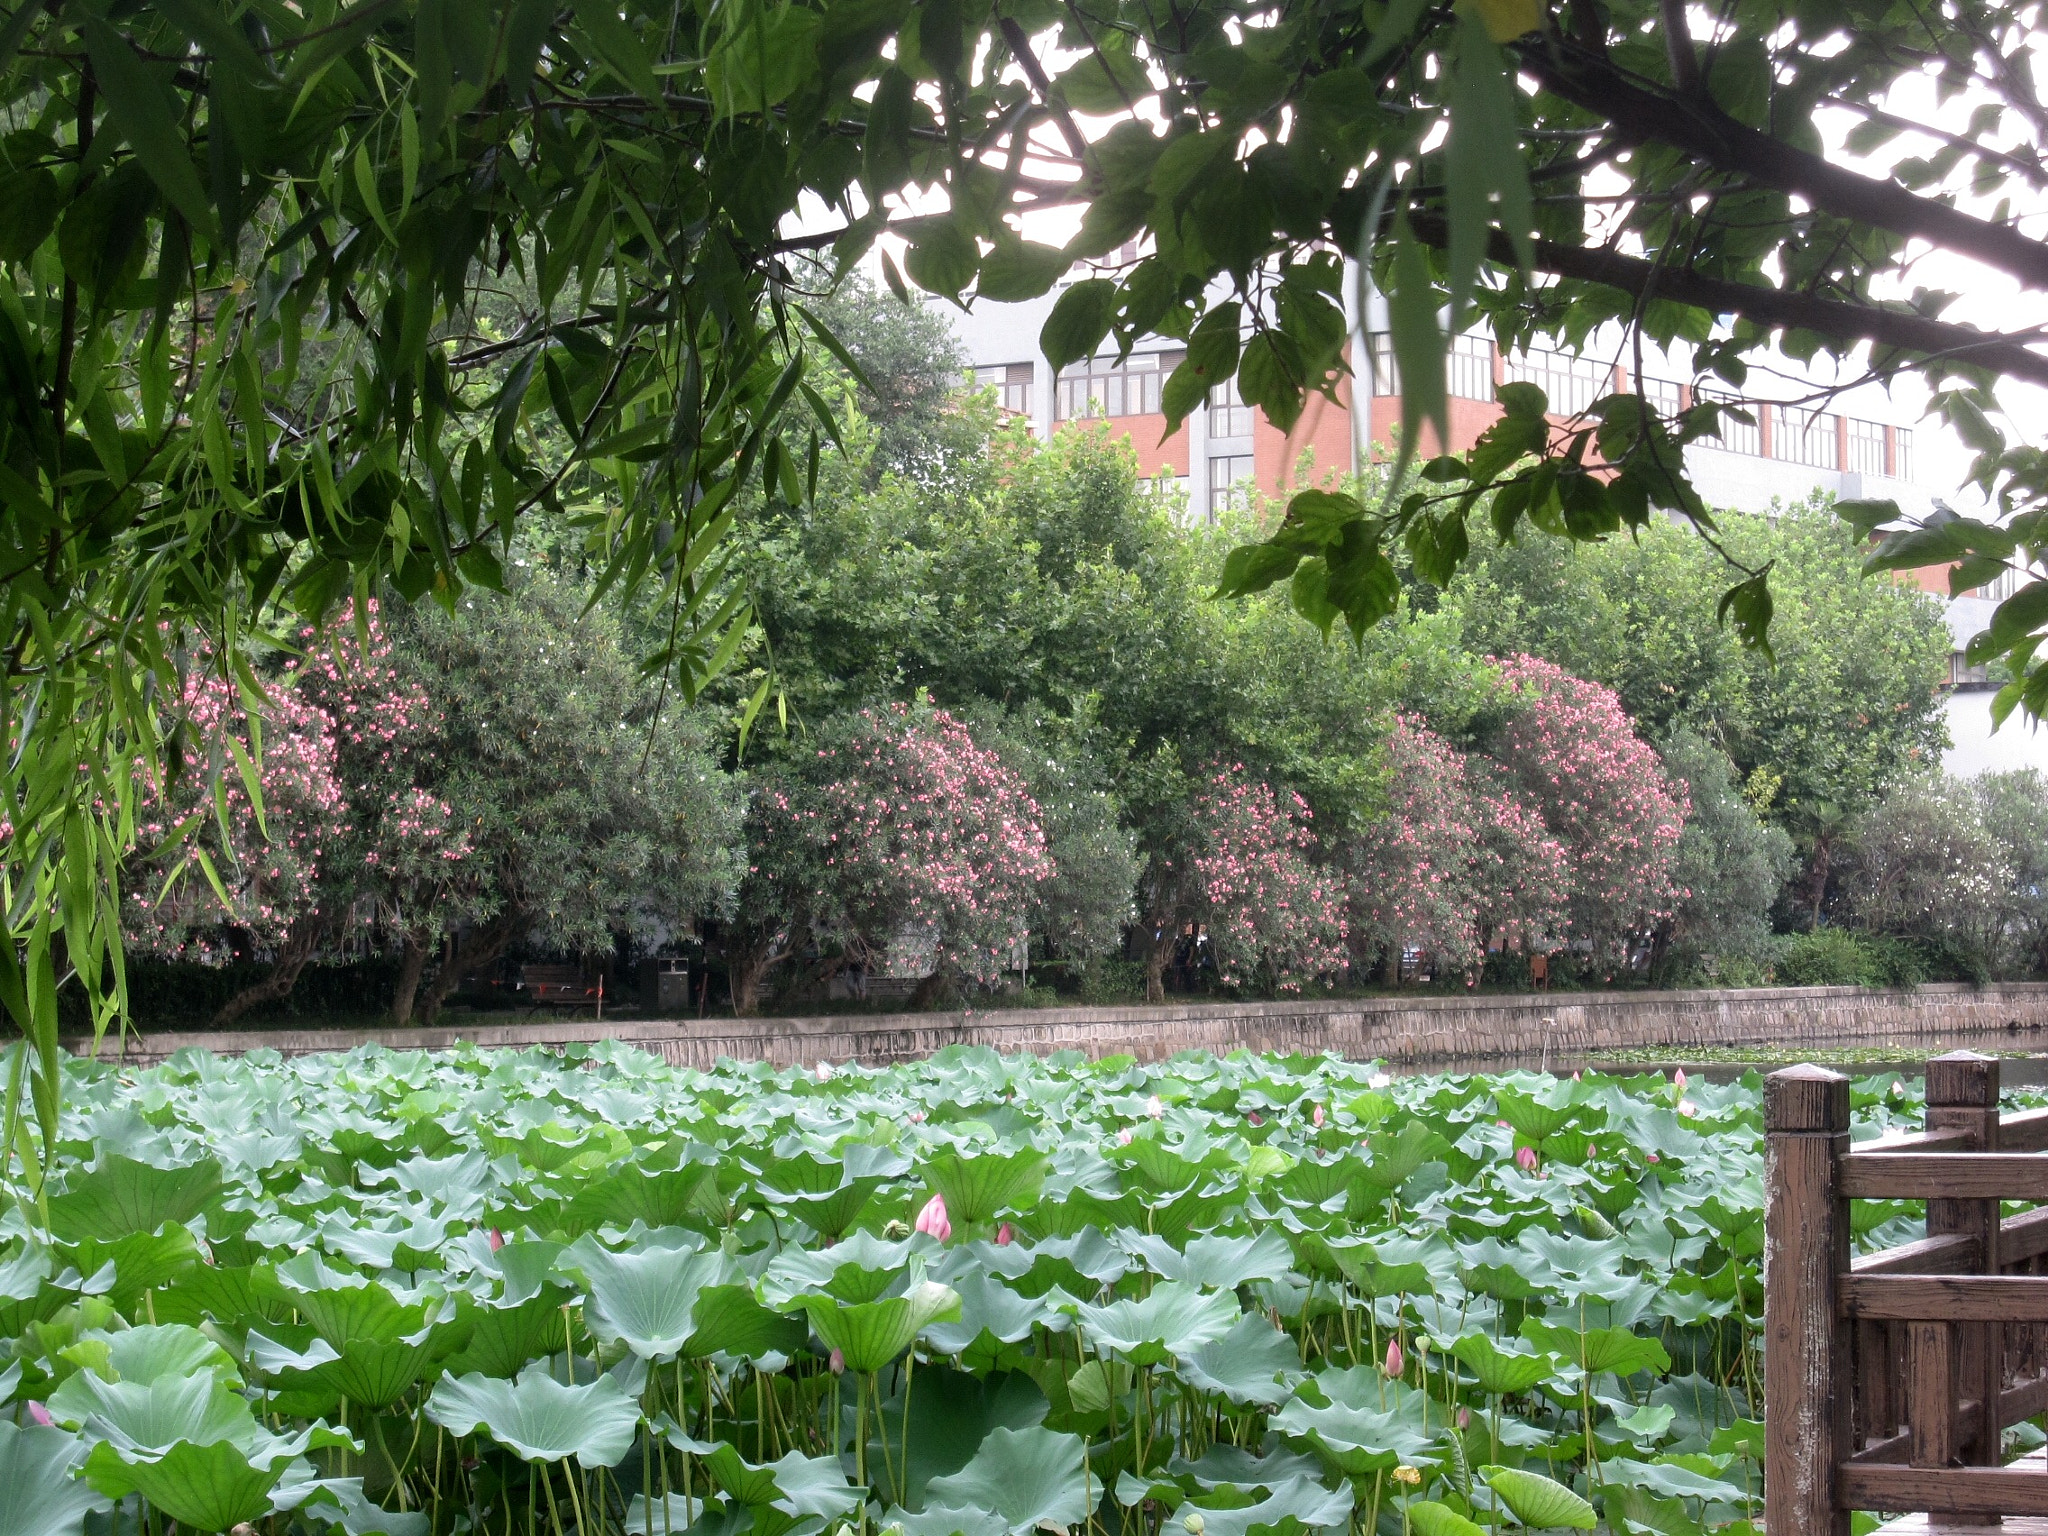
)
(585, 810)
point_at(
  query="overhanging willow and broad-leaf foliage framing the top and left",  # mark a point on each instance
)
(306, 298)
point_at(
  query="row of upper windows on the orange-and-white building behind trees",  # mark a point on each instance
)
(1572, 386)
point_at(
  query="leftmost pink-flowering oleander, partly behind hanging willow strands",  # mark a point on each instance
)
(265, 837)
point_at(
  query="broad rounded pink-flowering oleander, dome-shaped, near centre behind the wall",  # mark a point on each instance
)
(892, 830)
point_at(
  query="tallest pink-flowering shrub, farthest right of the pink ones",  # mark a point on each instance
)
(1603, 794)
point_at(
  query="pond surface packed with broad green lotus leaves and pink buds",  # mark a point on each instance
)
(595, 1293)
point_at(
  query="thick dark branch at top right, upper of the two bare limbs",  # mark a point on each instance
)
(1703, 130)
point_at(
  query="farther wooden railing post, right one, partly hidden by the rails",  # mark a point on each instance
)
(1963, 1095)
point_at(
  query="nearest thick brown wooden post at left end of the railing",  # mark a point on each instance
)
(1805, 1342)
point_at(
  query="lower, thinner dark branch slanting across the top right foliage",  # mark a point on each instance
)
(1766, 306)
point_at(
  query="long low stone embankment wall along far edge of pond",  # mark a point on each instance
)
(1408, 1031)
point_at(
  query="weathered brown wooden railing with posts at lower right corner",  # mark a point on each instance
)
(1879, 1371)
